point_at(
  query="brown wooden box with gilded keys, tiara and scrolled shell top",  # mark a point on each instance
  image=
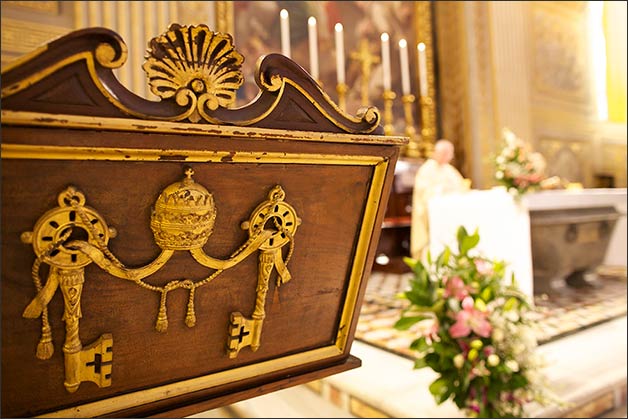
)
(156, 279)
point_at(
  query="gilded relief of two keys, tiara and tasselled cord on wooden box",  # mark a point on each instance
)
(73, 235)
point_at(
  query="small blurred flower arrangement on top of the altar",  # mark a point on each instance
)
(517, 167)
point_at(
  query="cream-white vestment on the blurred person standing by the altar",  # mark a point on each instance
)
(431, 179)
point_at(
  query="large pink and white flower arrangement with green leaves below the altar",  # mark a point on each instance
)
(474, 331)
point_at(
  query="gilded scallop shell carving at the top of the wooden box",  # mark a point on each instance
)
(194, 62)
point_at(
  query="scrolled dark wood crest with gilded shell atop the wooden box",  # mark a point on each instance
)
(194, 70)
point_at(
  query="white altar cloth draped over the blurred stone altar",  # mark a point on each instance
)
(504, 223)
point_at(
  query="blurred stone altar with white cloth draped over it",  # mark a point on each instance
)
(523, 232)
